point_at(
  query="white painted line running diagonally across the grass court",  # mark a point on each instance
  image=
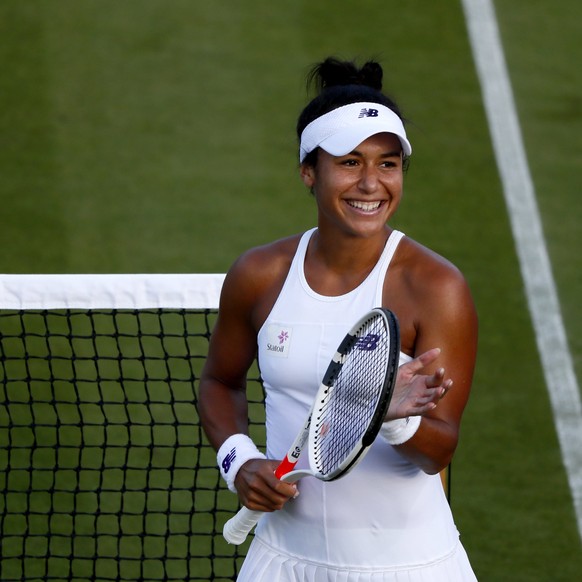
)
(529, 239)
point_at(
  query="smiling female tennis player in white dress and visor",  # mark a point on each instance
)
(289, 303)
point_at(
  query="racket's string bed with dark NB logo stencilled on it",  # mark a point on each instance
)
(344, 414)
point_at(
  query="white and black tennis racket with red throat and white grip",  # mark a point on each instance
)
(347, 413)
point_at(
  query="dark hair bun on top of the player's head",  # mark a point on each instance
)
(333, 72)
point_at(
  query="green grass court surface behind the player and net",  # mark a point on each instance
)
(152, 136)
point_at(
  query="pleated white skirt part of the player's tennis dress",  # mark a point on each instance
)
(263, 564)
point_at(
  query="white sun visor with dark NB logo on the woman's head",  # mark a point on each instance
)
(340, 131)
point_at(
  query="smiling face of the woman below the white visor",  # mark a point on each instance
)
(358, 193)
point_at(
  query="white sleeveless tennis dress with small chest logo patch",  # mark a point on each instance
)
(385, 521)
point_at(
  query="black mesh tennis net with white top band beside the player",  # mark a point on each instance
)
(105, 473)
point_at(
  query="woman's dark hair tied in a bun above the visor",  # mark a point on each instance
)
(340, 83)
